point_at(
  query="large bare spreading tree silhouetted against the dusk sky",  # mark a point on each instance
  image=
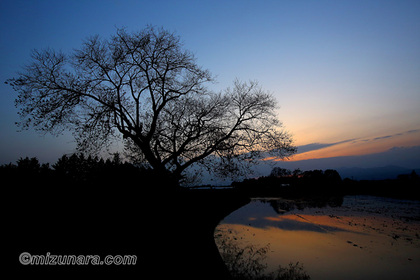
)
(146, 88)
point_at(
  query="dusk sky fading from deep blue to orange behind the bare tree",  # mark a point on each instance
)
(345, 73)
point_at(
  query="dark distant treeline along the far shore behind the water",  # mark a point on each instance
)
(319, 183)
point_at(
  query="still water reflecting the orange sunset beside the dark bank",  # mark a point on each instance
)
(361, 237)
